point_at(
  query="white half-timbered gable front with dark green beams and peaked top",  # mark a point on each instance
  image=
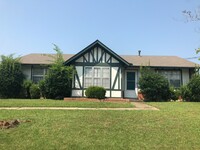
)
(97, 65)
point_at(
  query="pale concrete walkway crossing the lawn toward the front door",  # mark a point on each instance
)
(138, 106)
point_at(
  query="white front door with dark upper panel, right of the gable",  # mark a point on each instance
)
(130, 84)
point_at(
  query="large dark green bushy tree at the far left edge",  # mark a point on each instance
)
(11, 77)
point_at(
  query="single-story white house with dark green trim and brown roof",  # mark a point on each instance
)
(119, 74)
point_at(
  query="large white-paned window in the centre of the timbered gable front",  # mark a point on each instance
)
(97, 76)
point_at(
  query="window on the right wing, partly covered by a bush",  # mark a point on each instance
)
(174, 77)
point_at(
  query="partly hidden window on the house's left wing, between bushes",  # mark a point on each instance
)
(38, 74)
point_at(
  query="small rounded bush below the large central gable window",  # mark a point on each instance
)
(95, 92)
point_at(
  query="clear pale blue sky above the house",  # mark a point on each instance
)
(156, 27)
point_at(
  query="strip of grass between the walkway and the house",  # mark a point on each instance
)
(60, 103)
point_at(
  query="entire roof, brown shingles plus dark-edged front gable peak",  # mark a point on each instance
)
(128, 60)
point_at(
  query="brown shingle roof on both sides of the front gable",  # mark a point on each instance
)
(154, 61)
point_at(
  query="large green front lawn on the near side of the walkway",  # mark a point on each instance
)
(175, 126)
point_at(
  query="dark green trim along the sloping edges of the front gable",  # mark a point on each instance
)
(97, 43)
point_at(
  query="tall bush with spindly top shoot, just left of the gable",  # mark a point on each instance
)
(58, 81)
